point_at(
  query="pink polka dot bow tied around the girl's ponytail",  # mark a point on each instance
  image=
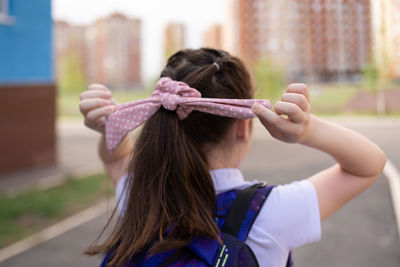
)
(172, 95)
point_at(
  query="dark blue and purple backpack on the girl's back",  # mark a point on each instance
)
(236, 211)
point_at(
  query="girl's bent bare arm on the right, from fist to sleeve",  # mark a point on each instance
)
(359, 161)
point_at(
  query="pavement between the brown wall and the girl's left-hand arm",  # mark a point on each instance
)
(76, 155)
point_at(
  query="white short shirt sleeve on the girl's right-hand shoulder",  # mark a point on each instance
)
(291, 215)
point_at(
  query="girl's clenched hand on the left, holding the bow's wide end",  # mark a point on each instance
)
(95, 104)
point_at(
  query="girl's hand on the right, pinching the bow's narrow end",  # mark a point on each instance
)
(290, 122)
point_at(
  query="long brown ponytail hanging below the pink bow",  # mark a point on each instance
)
(171, 195)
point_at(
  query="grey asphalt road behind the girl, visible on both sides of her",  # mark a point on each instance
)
(363, 233)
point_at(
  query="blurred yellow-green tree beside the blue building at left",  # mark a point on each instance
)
(71, 77)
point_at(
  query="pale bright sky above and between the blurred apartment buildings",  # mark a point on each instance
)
(196, 15)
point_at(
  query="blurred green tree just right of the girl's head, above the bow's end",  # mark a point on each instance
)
(269, 79)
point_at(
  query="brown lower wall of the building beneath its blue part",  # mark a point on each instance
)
(27, 126)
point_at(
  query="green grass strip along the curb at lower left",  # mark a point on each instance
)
(34, 210)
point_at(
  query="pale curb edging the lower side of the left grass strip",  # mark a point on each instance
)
(55, 230)
